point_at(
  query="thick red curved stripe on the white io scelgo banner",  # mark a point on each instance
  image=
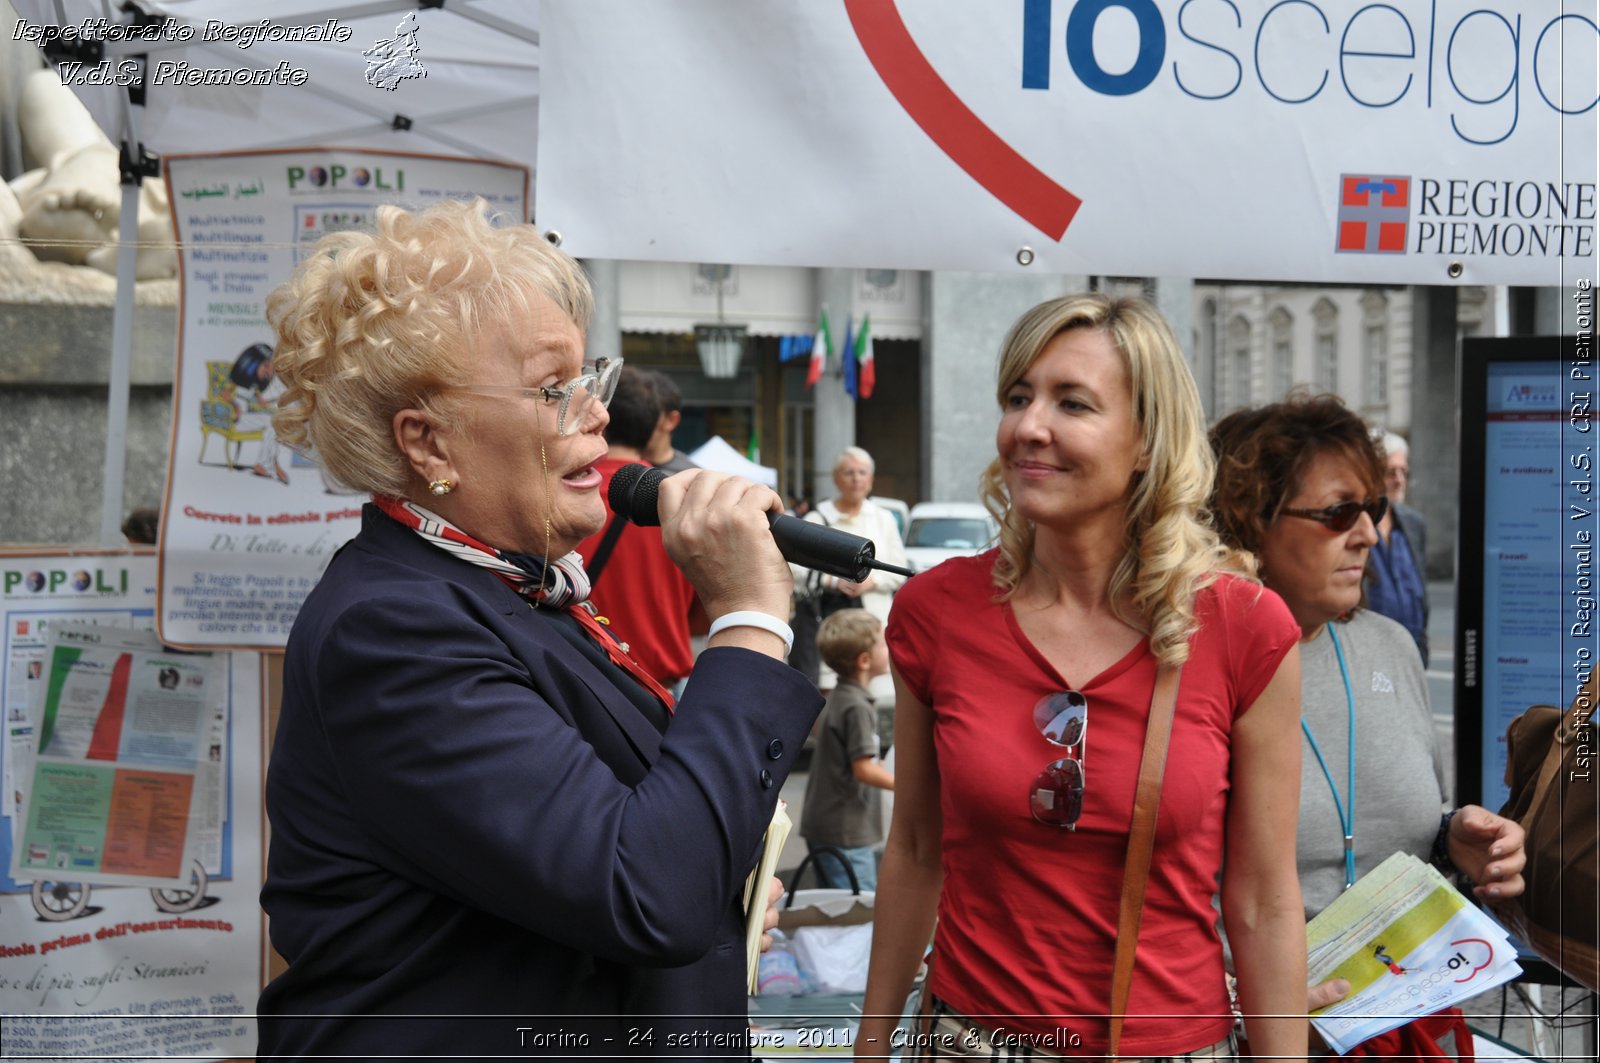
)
(951, 124)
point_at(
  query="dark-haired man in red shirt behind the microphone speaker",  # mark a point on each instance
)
(642, 595)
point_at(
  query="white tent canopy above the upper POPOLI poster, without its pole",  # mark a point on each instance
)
(481, 95)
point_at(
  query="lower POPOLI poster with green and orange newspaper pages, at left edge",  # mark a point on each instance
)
(142, 936)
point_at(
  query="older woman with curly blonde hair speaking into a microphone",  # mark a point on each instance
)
(489, 827)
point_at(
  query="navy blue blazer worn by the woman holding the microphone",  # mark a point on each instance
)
(482, 846)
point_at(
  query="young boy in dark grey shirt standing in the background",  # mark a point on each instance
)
(844, 806)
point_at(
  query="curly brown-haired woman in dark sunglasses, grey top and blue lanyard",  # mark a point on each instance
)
(1300, 486)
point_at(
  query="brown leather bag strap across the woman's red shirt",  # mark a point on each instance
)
(1142, 841)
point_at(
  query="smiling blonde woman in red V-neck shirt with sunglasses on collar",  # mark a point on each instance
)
(1025, 680)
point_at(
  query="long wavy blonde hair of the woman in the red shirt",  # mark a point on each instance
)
(1172, 552)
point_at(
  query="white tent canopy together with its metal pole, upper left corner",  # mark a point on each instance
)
(478, 98)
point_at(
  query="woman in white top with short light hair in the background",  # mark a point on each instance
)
(822, 596)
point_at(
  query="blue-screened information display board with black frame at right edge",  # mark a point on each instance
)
(1526, 630)
